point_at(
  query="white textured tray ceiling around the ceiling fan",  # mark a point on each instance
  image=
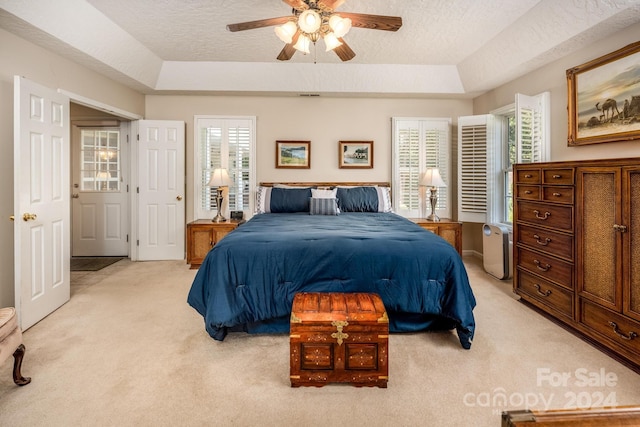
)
(445, 47)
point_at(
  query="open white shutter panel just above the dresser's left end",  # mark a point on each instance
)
(532, 129)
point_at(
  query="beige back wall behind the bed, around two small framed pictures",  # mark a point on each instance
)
(324, 121)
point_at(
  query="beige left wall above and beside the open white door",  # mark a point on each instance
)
(19, 57)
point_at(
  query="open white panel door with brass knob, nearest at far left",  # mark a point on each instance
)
(41, 200)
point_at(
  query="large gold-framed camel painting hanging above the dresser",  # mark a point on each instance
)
(604, 98)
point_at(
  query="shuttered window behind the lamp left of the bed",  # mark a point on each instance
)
(229, 143)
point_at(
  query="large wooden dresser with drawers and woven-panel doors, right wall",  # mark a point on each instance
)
(576, 256)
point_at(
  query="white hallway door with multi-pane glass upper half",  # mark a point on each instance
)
(100, 208)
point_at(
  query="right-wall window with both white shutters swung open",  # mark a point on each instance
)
(489, 146)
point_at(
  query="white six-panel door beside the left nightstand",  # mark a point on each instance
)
(161, 174)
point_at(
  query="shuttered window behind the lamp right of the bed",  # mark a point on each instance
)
(418, 144)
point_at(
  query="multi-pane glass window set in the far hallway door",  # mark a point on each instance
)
(100, 164)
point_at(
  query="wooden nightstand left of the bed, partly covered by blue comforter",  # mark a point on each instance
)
(202, 235)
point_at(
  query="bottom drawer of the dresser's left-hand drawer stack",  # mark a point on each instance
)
(550, 295)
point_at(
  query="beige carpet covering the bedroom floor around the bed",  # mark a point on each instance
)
(127, 350)
